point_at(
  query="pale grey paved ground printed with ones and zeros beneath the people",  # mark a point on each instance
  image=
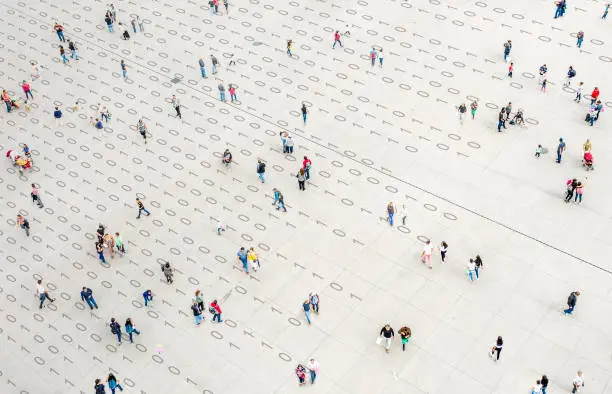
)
(374, 135)
